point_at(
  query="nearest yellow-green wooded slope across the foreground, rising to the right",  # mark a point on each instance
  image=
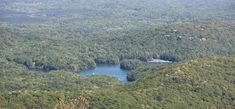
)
(207, 82)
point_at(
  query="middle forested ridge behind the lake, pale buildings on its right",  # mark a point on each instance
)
(39, 49)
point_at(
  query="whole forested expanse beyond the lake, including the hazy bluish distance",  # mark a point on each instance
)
(74, 35)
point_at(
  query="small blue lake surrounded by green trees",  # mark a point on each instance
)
(109, 70)
